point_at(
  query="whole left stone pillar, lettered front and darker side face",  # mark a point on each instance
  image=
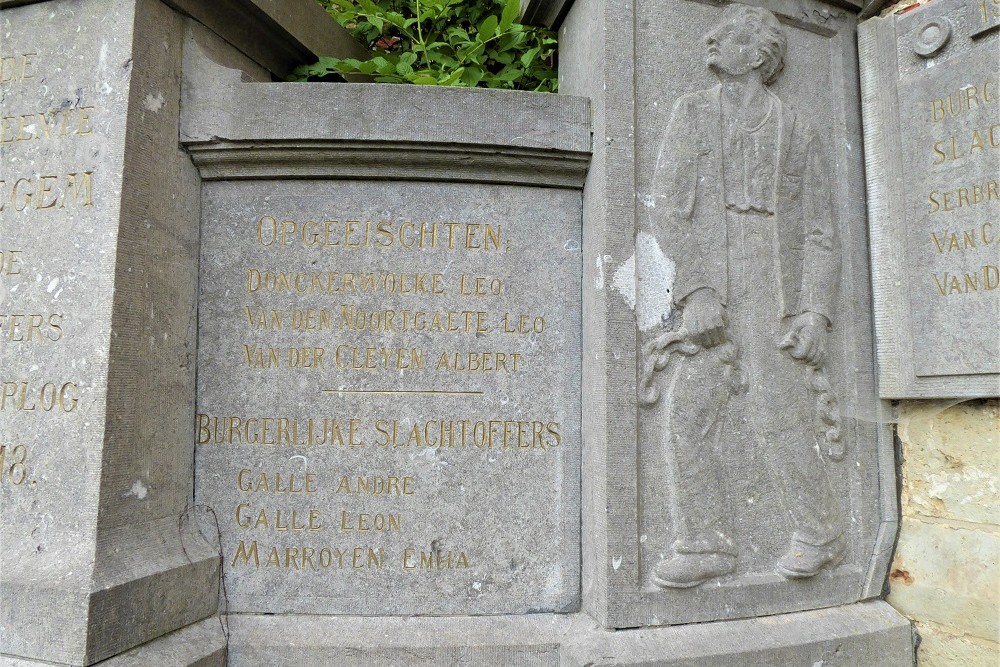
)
(99, 237)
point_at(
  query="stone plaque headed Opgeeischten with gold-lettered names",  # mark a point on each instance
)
(389, 395)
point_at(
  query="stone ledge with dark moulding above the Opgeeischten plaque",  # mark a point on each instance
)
(240, 131)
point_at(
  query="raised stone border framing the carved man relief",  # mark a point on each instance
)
(614, 591)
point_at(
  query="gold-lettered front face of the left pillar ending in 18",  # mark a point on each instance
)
(61, 143)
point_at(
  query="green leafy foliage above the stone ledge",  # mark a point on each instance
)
(471, 43)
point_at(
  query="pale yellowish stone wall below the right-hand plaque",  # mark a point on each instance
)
(946, 570)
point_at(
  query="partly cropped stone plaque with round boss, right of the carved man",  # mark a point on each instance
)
(931, 112)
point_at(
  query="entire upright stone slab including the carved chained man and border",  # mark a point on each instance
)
(764, 480)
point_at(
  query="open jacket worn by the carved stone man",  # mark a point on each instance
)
(689, 220)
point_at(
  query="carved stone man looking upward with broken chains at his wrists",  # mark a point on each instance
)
(742, 205)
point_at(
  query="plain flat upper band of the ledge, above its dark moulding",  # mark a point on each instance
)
(217, 106)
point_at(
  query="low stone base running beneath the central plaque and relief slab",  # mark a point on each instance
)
(869, 634)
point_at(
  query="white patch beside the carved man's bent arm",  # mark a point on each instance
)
(645, 281)
